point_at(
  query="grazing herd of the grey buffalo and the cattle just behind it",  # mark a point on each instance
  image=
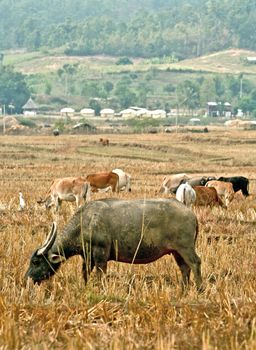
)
(131, 231)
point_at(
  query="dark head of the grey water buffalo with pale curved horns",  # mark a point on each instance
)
(44, 263)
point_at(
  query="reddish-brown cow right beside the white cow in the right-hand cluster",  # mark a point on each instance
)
(207, 196)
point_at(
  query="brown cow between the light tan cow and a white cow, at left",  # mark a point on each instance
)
(103, 180)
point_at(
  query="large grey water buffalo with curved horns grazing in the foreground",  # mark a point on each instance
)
(130, 231)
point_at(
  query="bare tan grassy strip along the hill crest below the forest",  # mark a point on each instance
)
(224, 62)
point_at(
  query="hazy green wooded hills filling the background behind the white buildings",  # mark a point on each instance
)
(147, 41)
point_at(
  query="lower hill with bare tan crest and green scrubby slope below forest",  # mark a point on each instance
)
(56, 80)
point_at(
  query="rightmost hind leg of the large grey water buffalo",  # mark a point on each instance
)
(194, 262)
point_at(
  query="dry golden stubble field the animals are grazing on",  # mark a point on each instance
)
(134, 307)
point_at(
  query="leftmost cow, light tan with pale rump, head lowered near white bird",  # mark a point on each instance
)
(67, 189)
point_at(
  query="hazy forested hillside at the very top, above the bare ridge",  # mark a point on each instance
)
(138, 28)
